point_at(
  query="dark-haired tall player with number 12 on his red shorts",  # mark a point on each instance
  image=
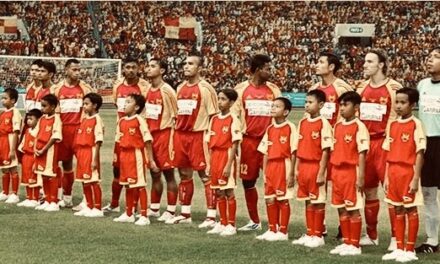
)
(253, 107)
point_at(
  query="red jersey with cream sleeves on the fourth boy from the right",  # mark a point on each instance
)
(279, 141)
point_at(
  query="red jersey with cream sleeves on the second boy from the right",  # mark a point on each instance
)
(351, 138)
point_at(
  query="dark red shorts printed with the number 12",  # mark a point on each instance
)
(251, 160)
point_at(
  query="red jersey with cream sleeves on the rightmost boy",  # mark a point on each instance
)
(405, 137)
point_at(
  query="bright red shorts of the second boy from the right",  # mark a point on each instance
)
(344, 190)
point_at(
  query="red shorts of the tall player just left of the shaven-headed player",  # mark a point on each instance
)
(162, 148)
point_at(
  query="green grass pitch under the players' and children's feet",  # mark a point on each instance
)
(28, 236)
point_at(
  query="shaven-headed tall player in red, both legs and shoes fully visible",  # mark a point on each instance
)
(197, 102)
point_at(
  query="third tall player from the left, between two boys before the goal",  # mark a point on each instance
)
(70, 93)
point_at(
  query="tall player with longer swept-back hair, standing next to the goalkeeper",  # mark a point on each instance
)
(377, 109)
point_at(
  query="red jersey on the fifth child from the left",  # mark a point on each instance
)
(132, 132)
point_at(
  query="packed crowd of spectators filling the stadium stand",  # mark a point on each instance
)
(293, 33)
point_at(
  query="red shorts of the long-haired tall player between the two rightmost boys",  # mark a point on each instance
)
(375, 164)
